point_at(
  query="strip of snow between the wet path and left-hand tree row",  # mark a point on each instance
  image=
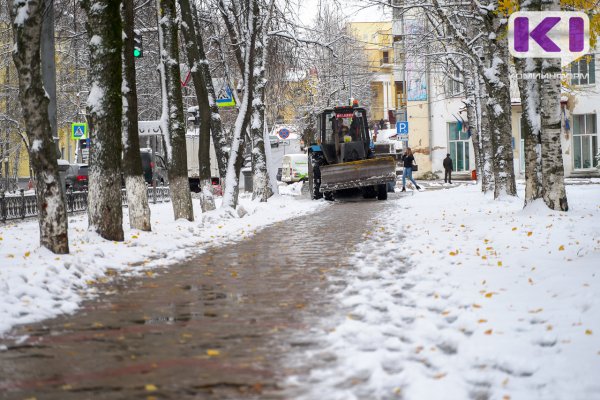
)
(36, 284)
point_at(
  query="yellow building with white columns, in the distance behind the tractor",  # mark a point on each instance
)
(386, 82)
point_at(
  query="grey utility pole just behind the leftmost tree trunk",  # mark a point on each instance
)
(49, 67)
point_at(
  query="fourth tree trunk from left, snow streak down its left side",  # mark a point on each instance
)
(172, 111)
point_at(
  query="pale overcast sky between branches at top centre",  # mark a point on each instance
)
(354, 9)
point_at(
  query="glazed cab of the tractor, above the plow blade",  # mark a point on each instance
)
(344, 134)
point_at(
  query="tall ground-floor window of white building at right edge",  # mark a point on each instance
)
(585, 141)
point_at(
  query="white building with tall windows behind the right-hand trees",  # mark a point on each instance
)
(579, 135)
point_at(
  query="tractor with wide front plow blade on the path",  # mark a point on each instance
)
(342, 159)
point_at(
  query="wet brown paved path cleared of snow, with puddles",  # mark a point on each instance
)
(217, 326)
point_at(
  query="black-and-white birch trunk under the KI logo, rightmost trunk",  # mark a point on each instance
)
(553, 179)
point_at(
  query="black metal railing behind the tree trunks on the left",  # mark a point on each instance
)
(21, 206)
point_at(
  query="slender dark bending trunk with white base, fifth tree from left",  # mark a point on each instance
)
(207, 200)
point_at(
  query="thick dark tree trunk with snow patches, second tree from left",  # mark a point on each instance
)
(105, 109)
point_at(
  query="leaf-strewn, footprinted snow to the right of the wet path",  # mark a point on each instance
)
(457, 296)
